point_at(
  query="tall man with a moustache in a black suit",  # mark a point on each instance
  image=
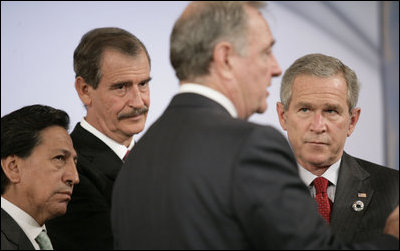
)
(112, 74)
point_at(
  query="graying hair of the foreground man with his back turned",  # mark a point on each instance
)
(197, 31)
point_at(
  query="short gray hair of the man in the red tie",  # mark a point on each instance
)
(322, 66)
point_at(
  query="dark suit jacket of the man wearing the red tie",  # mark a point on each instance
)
(381, 186)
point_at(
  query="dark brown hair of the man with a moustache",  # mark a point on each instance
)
(88, 54)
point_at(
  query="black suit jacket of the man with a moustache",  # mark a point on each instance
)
(86, 225)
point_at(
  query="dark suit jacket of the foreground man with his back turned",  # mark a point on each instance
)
(200, 179)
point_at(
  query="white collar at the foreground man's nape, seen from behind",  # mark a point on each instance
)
(211, 94)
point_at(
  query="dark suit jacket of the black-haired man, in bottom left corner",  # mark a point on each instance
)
(12, 235)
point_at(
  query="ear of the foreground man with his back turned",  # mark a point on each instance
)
(223, 59)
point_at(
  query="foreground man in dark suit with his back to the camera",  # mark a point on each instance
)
(202, 177)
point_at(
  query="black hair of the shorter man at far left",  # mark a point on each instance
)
(20, 131)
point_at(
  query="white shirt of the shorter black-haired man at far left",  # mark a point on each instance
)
(28, 224)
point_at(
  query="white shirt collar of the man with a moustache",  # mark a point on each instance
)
(118, 148)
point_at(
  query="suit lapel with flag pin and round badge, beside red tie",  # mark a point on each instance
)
(352, 188)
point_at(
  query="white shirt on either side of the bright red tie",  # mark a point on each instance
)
(331, 174)
